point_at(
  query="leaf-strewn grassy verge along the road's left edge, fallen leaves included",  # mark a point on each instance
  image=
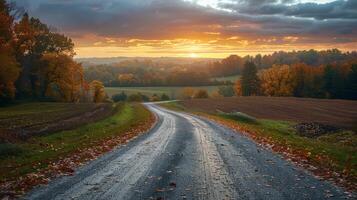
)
(44, 157)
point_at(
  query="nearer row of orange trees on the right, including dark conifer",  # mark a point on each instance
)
(337, 81)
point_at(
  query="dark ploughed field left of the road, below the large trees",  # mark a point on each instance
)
(30, 119)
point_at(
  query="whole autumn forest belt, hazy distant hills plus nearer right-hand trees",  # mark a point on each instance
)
(317, 74)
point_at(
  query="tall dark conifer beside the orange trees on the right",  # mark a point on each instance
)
(250, 80)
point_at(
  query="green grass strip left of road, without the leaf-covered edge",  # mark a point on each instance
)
(44, 149)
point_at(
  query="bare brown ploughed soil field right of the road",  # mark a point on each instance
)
(339, 113)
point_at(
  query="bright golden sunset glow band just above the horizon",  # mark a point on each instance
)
(217, 48)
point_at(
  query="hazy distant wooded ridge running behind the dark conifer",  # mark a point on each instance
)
(149, 73)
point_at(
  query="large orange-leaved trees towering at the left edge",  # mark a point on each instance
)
(37, 63)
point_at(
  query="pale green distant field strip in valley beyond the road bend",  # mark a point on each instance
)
(173, 92)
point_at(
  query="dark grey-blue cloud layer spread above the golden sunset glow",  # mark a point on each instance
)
(166, 19)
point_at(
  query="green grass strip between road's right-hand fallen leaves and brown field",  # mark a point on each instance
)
(340, 147)
